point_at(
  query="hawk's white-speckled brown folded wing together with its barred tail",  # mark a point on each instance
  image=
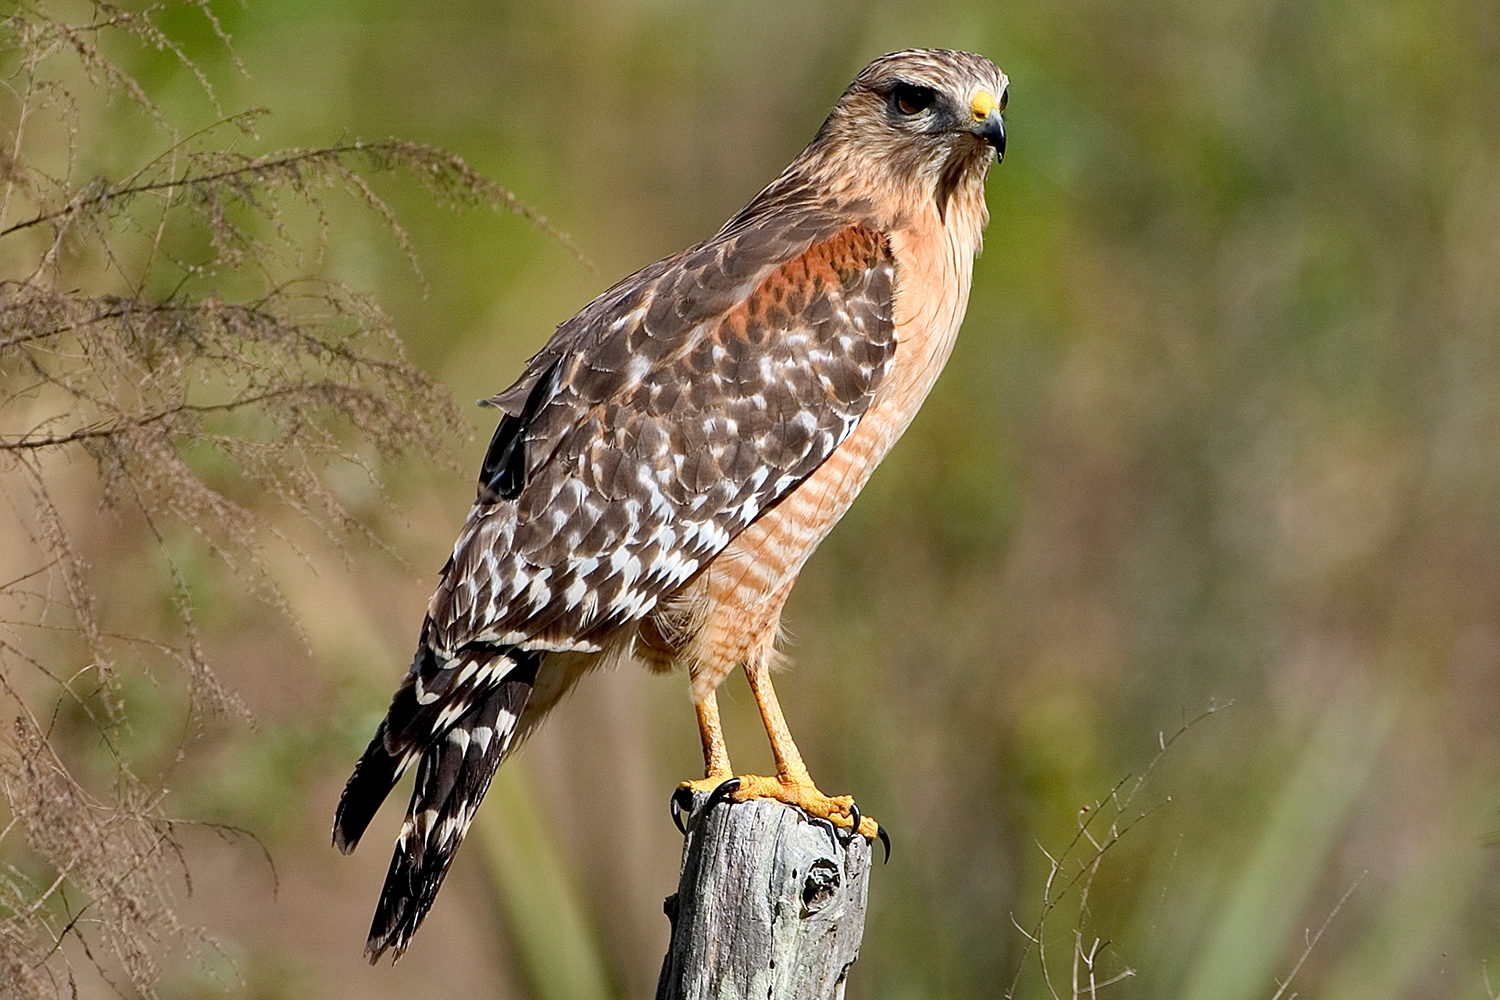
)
(656, 427)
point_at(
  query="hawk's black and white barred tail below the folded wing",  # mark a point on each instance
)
(457, 720)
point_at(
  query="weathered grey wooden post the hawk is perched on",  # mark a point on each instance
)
(770, 906)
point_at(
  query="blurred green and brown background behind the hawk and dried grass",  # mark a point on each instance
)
(1222, 431)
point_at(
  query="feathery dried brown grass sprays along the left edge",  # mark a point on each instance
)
(133, 376)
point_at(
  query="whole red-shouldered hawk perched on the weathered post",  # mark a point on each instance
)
(677, 451)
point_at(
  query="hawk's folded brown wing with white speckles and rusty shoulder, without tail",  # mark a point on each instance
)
(659, 424)
